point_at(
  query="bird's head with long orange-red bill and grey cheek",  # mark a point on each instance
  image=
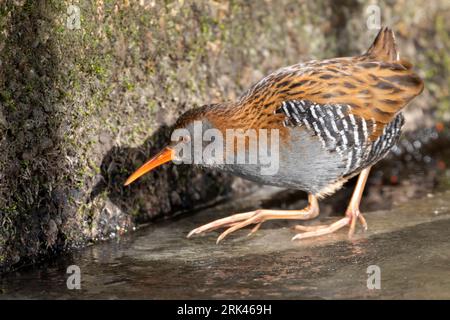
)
(183, 138)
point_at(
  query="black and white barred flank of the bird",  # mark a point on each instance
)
(343, 132)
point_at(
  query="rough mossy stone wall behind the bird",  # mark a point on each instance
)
(82, 107)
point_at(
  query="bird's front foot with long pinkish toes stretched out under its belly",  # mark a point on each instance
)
(241, 220)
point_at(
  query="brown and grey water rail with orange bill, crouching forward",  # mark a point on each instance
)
(336, 118)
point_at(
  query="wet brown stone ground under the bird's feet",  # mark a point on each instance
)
(410, 245)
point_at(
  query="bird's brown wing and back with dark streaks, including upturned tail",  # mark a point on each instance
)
(375, 85)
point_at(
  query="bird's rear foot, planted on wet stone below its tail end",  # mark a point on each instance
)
(349, 219)
